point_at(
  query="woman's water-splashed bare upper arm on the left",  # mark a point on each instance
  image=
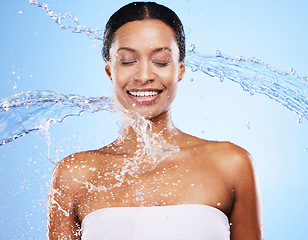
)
(62, 221)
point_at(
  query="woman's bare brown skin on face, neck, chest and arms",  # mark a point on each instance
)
(218, 174)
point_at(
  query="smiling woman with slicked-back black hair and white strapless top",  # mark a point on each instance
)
(154, 181)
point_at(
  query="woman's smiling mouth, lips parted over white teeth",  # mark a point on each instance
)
(147, 96)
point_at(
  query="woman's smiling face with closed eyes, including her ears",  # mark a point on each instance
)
(144, 67)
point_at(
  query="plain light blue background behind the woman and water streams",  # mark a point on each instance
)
(35, 54)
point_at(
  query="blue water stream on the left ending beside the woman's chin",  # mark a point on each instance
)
(35, 110)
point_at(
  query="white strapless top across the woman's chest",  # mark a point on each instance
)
(174, 222)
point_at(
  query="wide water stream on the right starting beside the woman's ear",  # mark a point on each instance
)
(255, 76)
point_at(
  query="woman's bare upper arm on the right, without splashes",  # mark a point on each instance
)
(246, 215)
